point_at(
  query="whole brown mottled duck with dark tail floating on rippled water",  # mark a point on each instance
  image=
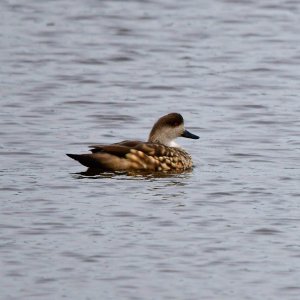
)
(160, 153)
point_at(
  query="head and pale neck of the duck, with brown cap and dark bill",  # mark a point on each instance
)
(168, 128)
